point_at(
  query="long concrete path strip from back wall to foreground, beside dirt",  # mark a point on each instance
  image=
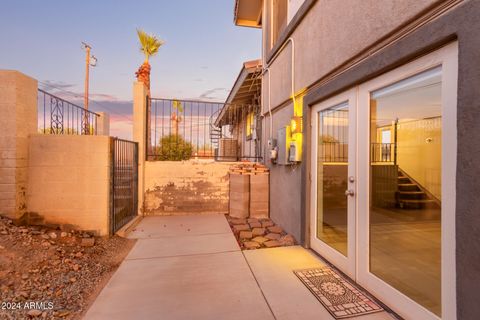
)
(182, 267)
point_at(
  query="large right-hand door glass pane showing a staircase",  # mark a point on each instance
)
(405, 187)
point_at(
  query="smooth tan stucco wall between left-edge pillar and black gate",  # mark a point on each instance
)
(69, 180)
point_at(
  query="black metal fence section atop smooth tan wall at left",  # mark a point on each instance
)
(58, 116)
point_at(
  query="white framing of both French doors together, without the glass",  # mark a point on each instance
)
(356, 265)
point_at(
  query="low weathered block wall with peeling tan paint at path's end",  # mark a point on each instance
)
(186, 187)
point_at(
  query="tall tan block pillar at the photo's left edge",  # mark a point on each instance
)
(18, 119)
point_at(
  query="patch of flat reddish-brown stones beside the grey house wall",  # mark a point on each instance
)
(255, 233)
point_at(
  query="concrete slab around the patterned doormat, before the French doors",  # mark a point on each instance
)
(288, 298)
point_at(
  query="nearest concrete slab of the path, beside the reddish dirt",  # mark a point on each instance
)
(210, 286)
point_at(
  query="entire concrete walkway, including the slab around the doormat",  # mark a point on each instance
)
(190, 267)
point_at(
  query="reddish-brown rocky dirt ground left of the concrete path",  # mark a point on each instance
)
(50, 274)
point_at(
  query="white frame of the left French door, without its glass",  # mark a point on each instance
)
(345, 264)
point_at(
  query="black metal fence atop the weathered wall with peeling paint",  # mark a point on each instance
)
(185, 129)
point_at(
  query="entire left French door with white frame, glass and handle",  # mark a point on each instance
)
(333, 181)
